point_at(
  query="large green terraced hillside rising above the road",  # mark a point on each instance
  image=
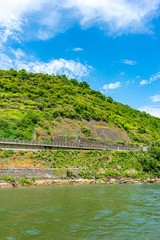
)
(46, 107)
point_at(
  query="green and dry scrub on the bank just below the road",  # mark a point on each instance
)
(100, 164)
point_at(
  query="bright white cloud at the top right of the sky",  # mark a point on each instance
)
(118, 16)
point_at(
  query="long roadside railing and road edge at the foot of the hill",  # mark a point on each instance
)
(63, 145)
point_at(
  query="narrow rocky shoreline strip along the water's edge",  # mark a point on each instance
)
(80, 181)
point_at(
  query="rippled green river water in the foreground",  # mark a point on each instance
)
(81, 212)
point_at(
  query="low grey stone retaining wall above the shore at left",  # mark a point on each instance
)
(28, 173)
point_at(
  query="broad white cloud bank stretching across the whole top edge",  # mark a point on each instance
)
(45, 18)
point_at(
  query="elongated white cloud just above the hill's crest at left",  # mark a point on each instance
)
(60, 66)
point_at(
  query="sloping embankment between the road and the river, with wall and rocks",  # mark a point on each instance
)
(18, 168)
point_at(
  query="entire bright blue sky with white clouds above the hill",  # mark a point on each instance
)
(112, 45)
